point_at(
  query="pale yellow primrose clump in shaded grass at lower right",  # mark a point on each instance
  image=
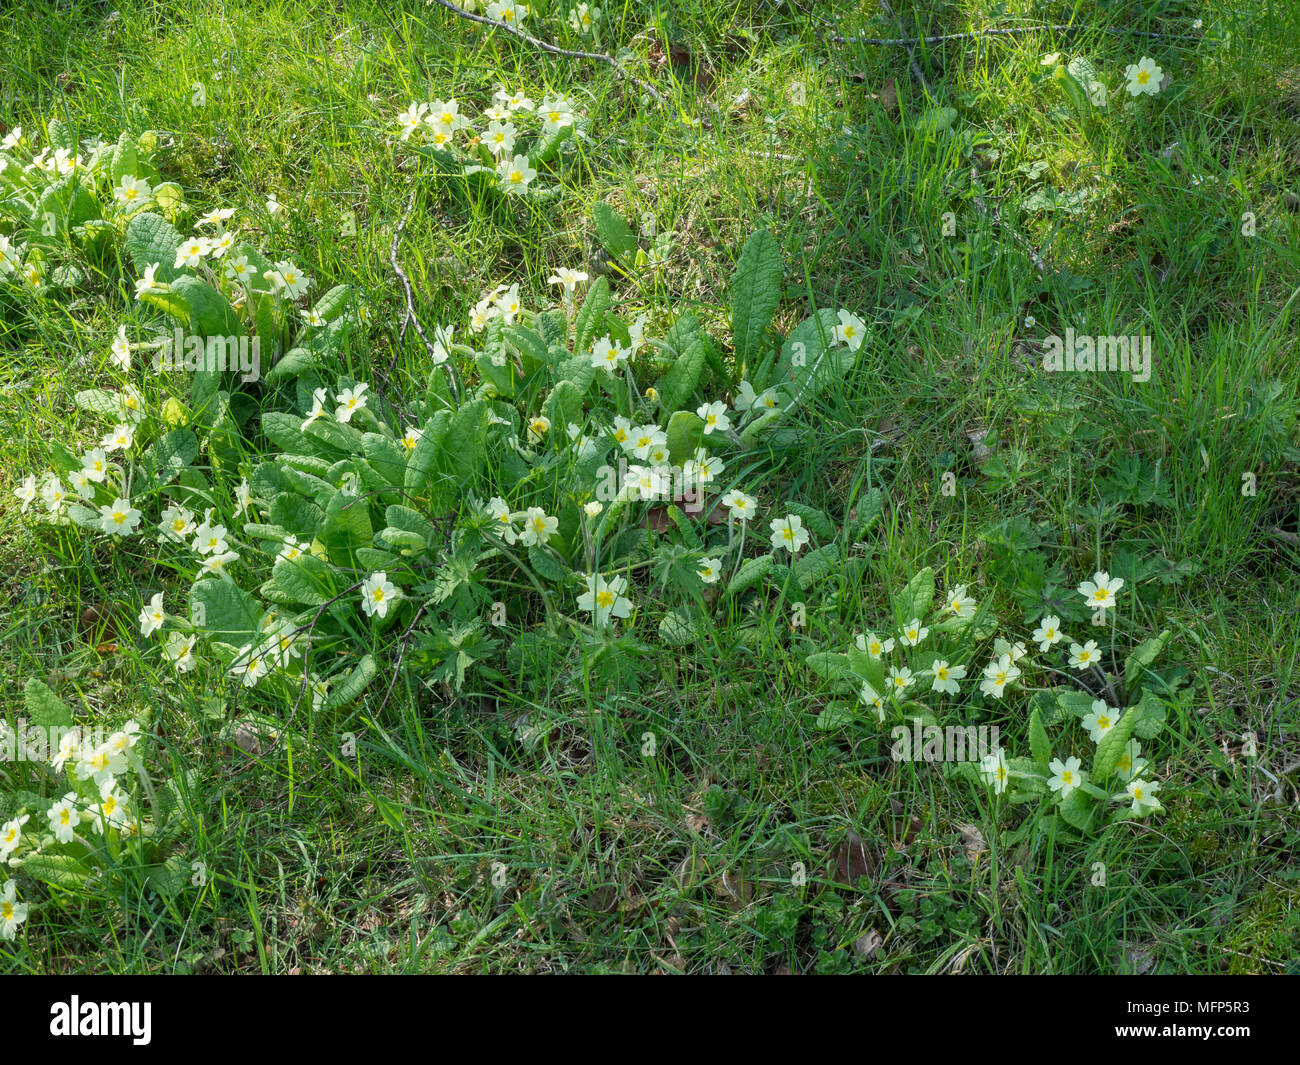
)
(924, 663)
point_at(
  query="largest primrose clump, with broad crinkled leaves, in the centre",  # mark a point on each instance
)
(534, 496)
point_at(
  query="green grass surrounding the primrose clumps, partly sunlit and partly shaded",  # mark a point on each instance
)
(526, 826)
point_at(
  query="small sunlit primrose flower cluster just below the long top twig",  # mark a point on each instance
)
(508, 142)
